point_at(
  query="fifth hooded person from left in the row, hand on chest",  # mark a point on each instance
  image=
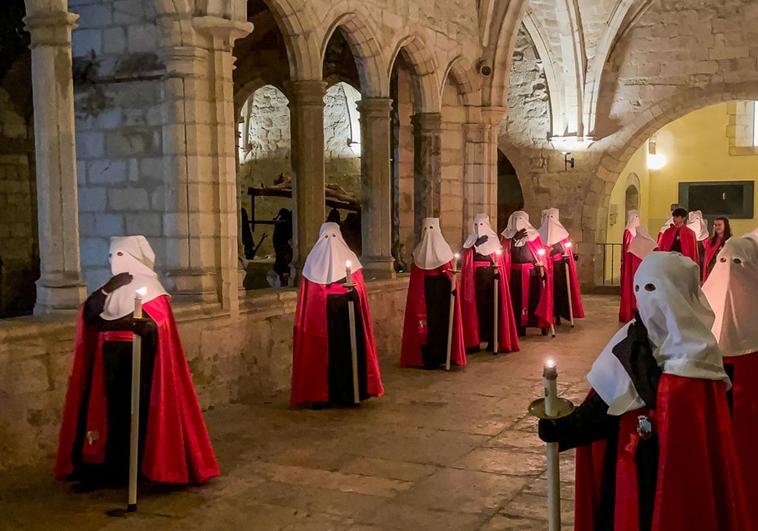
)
(531, 274)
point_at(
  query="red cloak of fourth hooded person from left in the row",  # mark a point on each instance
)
(507, 331)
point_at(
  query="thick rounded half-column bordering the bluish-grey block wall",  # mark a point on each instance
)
(191, 225)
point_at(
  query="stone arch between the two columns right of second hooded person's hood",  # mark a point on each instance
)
(366, 51)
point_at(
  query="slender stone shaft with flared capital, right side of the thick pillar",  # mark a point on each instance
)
(222, 34)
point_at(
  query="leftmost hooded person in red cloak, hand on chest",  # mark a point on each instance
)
(94, 437)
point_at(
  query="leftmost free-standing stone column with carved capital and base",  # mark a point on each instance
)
(60, 286)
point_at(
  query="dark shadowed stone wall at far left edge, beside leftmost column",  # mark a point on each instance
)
(19, 252)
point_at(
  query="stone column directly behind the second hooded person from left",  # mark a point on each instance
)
(307, 136)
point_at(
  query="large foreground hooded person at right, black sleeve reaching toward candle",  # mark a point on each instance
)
(655, 445)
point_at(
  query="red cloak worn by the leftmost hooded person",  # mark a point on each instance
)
(177, 446)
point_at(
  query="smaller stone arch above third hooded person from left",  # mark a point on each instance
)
(424, 68)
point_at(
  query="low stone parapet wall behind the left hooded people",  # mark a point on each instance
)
(231, 360)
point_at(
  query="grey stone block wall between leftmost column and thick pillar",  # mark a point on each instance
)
(119, 120)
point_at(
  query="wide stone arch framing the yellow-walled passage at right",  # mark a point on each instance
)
(619, 148)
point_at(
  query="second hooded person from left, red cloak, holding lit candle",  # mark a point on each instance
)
(322, 367)
